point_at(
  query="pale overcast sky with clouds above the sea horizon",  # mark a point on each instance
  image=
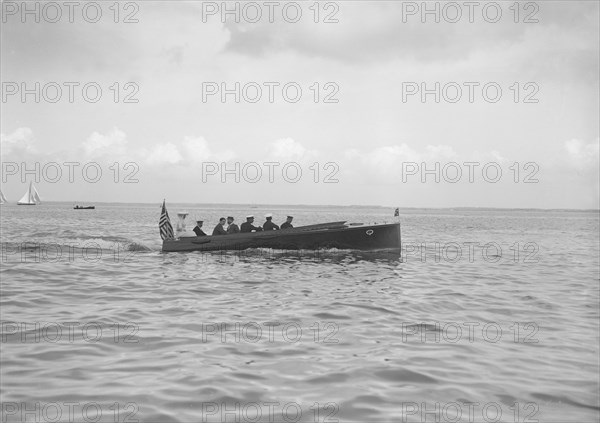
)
(384, 103)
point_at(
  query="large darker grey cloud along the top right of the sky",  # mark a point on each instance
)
(385, 31)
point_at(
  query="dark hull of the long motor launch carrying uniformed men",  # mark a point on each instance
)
(364, 237)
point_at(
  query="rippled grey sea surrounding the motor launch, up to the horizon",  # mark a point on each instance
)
(485, 315)
